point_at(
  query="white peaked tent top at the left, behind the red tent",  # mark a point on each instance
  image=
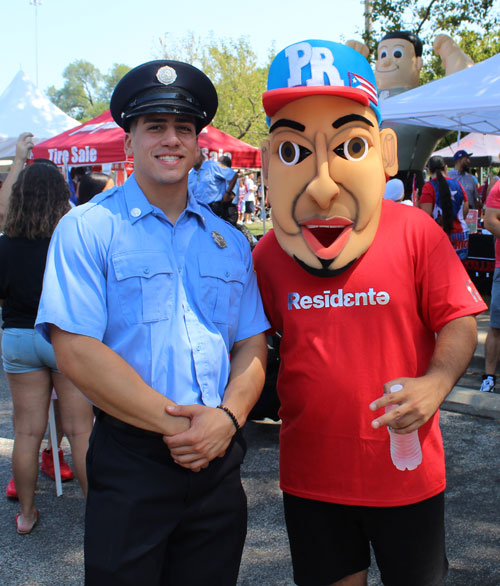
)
(23, 108)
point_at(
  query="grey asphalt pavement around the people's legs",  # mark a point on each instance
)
(52, 554)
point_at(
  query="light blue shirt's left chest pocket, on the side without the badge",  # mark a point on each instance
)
(144, 285)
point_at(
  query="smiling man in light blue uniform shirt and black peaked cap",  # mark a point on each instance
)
(146, 292)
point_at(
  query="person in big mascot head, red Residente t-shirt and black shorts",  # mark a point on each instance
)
(358, 288)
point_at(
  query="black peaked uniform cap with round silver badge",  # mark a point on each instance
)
(165, 86)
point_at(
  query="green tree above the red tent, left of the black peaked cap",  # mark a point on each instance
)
(86, 91)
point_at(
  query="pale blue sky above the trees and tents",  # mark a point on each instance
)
(127, 31)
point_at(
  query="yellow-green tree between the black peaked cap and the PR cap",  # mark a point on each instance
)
(232, 66)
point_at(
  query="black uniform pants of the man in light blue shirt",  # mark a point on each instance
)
(151, 522)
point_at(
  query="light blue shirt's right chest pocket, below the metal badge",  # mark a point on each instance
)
(222, 279)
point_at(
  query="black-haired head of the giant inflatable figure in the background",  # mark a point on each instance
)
(399, 61)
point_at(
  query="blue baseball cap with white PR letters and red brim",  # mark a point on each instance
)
(316, 67)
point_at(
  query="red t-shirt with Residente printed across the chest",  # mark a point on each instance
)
(343, 338)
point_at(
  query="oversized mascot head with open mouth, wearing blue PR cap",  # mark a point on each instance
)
(326, 160)
